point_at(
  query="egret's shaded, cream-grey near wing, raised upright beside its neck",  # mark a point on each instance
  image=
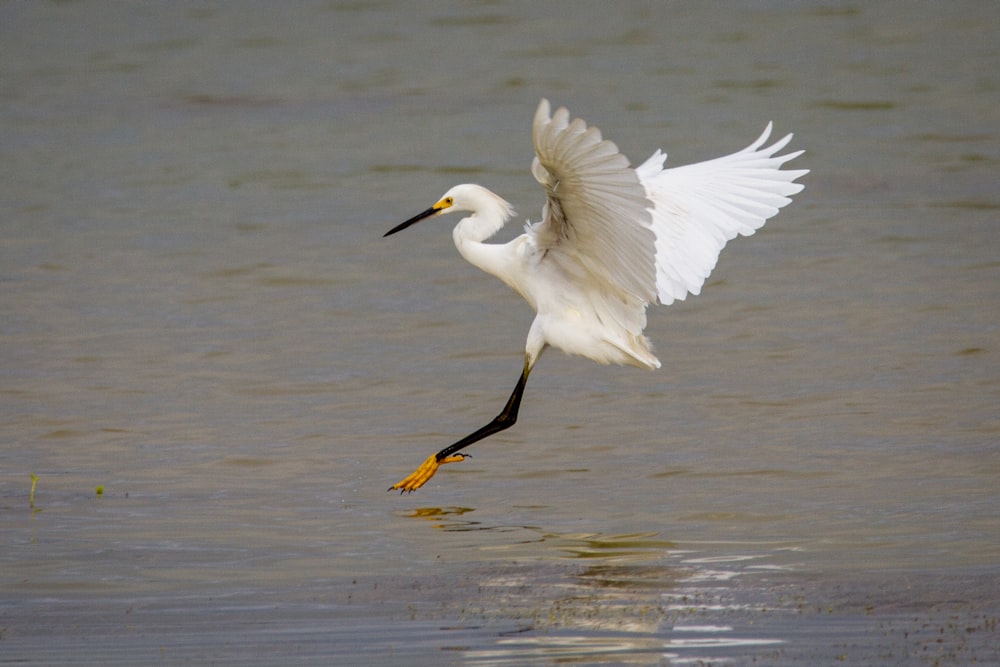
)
(597, 216)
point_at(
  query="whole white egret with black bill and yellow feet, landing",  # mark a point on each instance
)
(612, 240)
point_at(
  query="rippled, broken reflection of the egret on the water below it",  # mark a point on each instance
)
(586, 596)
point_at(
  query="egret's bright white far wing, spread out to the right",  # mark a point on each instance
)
(697, 208)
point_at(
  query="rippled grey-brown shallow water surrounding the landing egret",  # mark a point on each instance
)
(199, 316)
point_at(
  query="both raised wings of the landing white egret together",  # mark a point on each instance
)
(627, 237)
